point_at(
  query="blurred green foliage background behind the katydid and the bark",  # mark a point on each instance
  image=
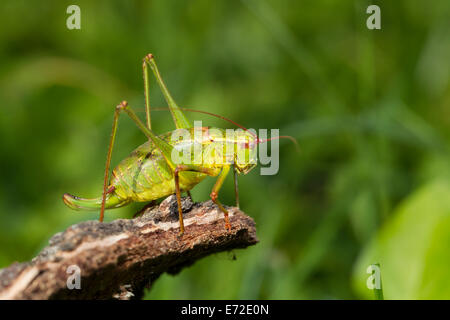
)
(369, 108)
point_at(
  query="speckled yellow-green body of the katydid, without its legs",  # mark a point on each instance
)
(145, 175)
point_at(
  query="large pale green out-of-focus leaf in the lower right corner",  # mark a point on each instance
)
(412, 248)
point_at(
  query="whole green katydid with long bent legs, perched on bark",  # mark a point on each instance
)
(150, 172)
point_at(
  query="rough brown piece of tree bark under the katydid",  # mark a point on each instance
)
(117, 260)
